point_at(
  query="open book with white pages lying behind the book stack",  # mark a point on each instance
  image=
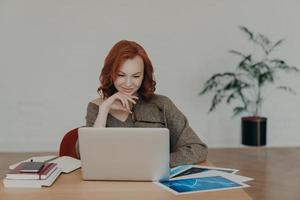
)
(65, 163)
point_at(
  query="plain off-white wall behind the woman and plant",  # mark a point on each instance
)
(52, 53)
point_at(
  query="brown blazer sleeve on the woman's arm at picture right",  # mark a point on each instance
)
(186, 146)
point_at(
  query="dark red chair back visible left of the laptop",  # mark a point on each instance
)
(68, 144)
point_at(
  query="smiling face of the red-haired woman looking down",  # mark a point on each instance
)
(130, 76)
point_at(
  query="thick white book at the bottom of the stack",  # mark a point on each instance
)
(31, 183)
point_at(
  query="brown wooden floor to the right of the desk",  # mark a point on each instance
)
(276, 171)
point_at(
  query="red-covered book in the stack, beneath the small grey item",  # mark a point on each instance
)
(17, 173)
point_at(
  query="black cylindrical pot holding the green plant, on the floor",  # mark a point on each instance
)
(254, 131)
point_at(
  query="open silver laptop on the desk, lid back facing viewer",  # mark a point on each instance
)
(125, 154)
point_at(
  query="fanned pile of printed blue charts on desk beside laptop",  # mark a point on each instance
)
(196, 178)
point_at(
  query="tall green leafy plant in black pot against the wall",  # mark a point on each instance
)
(244, 86)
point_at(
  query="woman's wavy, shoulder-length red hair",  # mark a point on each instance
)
(120, 52)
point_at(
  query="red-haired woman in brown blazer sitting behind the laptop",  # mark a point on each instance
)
(127, 99)
